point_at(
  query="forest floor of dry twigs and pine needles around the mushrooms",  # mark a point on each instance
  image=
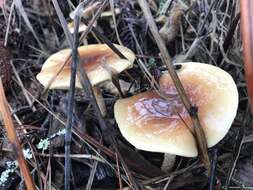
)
(206, 31)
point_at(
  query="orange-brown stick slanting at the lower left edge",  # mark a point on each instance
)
(12, 136)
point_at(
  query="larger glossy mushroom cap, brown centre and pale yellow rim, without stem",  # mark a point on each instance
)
(151, 123)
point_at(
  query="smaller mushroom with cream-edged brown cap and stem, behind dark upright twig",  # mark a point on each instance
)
(98, 60)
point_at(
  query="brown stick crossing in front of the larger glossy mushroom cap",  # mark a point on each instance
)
(198, 130)
